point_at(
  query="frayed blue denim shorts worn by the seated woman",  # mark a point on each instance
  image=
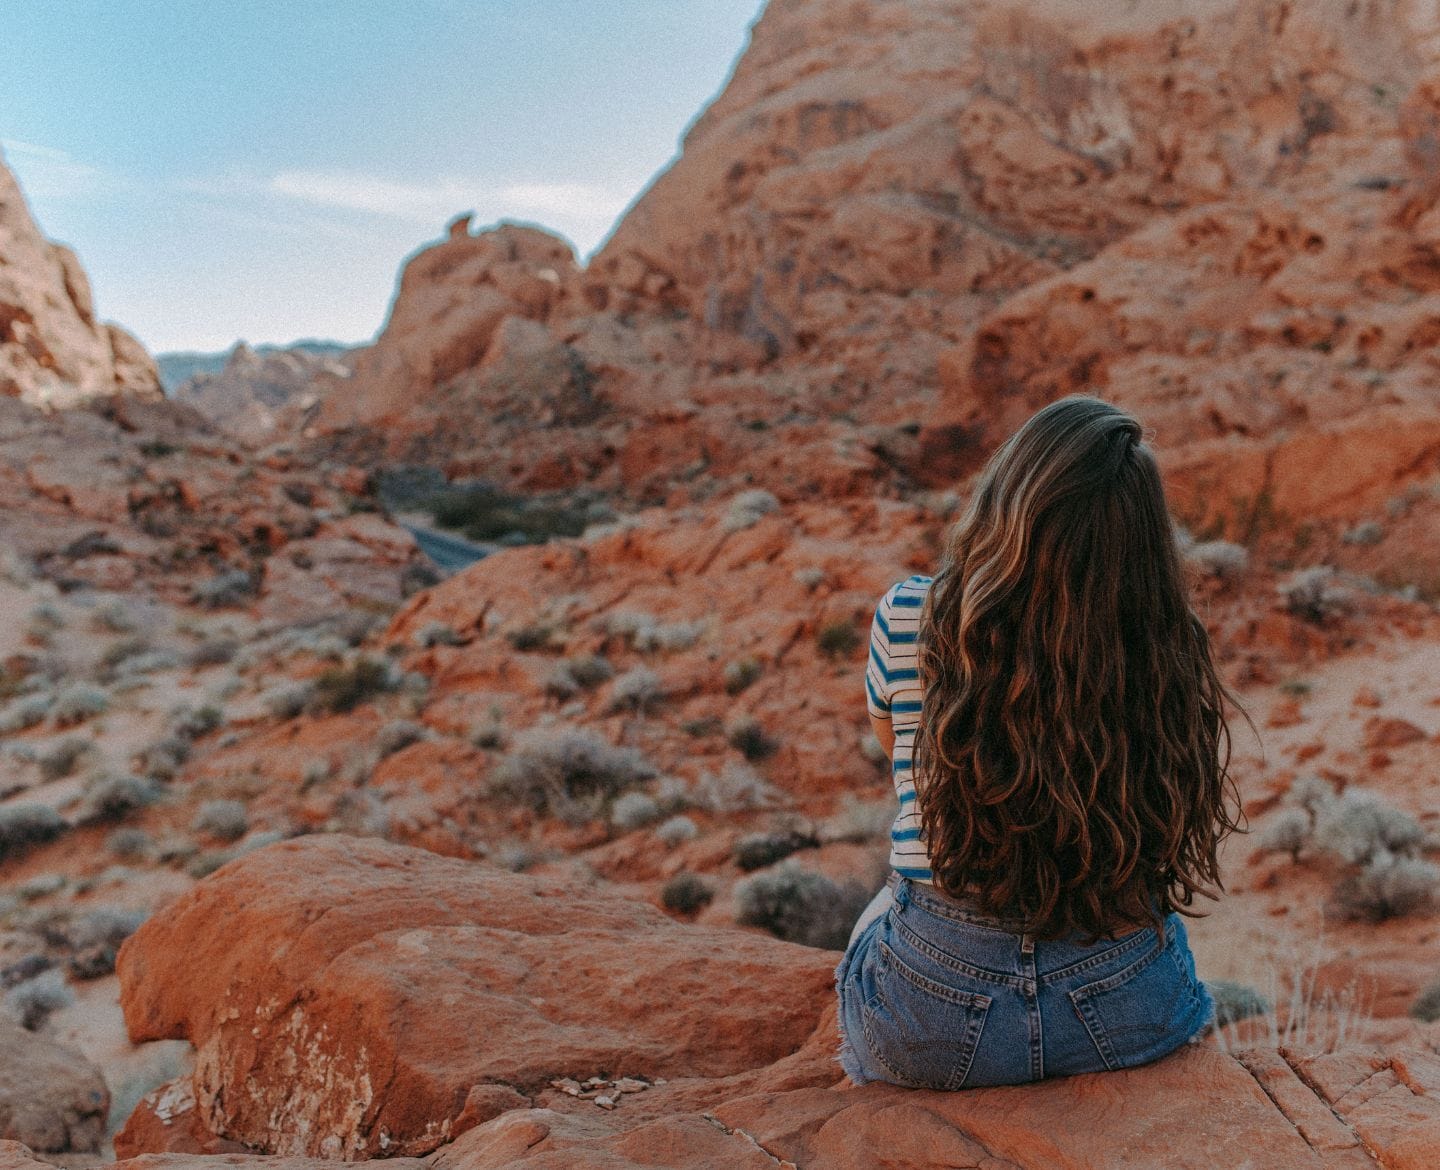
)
(934, 995)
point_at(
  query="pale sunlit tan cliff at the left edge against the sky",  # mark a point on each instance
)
(53, 349)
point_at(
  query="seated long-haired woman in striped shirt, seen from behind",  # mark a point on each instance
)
(1062, 760)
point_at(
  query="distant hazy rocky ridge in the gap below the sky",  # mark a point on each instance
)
(257, 391)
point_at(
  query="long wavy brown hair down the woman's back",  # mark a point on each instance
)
(1074, 757)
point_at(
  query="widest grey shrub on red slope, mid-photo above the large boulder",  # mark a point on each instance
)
(570, 773)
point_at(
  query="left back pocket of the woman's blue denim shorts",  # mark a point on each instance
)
(924, 1032)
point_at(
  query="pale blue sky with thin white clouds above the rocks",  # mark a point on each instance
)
(261, 169)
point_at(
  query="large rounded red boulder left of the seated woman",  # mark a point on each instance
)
(426, 978)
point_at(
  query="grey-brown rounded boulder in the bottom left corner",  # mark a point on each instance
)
(51, 1099)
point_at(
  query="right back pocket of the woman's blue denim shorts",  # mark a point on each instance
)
(1146, 1009)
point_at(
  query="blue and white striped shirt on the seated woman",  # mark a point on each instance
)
(894, 692)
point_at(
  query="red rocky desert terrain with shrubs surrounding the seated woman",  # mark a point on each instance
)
(306, 854)
